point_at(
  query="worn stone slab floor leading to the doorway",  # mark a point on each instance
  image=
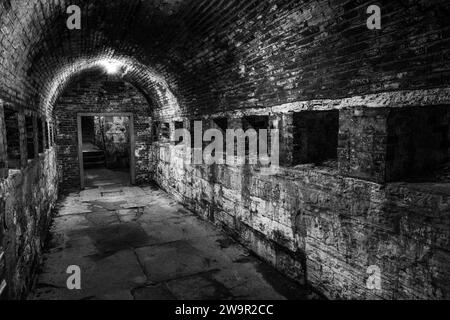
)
(138, 243)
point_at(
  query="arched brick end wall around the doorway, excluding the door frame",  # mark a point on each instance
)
(96, 93)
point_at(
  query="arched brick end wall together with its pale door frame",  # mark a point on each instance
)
(94, 93)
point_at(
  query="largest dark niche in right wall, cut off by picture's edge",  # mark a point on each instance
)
(418, 143)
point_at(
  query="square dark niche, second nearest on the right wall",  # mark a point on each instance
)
(315, 137)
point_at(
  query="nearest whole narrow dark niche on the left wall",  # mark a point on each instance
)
(12, 138)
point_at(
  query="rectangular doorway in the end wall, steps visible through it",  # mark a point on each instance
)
(106, 150)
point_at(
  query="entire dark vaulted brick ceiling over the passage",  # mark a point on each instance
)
(222, 53)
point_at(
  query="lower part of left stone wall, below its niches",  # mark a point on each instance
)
(27, 198)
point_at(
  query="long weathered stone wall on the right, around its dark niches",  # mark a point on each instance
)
(326, 226)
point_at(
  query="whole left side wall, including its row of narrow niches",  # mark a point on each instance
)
(28, 192)
